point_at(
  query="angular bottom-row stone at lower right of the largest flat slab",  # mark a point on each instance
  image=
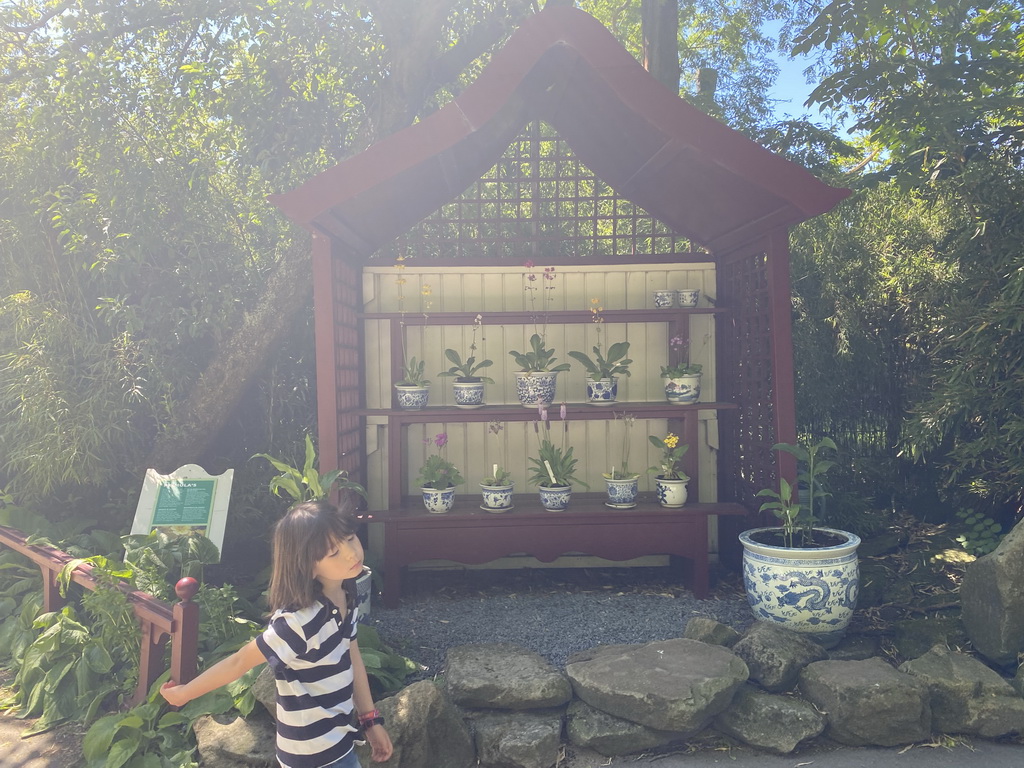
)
(769, 721)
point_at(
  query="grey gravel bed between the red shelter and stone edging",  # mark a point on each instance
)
(556, 613)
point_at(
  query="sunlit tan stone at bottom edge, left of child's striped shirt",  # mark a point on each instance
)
(237, 743)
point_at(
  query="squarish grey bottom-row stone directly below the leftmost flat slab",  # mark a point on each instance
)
(518, 740)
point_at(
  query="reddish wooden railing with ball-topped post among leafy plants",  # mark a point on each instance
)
(157, 620)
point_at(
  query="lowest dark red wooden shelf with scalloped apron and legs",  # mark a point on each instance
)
(470, 535)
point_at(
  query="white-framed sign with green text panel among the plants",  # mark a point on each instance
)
(187, 501)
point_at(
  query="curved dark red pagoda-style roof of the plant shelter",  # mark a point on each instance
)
(699, 177)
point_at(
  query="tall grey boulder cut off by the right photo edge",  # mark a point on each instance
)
(993, 601)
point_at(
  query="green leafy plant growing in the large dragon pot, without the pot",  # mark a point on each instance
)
(798, 520)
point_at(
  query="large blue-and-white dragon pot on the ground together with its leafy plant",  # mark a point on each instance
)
(799, 575)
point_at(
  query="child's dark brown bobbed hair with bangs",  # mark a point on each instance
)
(304, 536)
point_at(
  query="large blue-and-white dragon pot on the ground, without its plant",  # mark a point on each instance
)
(810, 590)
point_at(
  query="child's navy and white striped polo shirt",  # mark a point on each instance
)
(309, 652)
